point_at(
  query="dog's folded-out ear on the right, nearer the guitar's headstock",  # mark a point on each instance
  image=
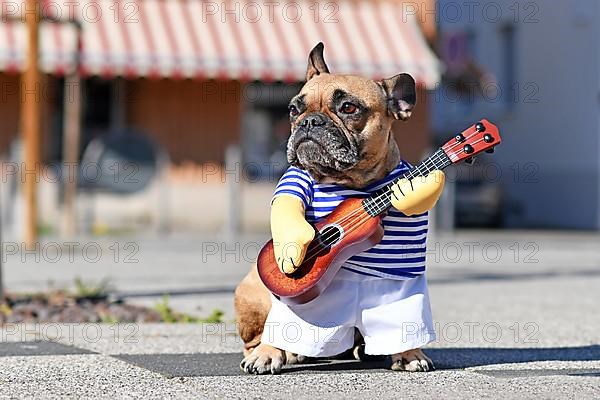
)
(401, 92)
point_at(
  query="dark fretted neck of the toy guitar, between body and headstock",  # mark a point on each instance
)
(381, 201)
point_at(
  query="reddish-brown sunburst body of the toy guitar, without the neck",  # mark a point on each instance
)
(355, 231)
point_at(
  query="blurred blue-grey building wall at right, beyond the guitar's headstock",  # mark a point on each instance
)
(534, 69)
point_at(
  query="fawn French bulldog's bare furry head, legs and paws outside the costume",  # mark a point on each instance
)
(341, 133)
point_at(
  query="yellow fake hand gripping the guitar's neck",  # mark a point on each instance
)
(418, 195)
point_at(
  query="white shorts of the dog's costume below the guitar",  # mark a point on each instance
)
(392, 315)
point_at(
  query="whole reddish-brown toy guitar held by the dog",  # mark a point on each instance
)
(355, 224)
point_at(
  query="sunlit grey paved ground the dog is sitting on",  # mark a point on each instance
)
(517, 317)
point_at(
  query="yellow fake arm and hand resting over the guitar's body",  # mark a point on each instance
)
(291, 233)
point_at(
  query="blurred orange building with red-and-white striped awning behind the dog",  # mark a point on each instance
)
(198, 76)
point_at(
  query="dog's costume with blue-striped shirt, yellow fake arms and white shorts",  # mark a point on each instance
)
(382, 292)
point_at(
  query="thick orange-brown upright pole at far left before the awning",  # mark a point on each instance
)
(30, 123)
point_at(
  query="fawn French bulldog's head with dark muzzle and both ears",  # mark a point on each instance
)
(341, 124)
